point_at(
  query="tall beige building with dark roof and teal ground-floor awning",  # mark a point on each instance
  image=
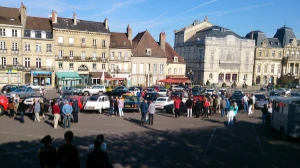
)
(81, 49)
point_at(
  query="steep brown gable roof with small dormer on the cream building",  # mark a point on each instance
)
(144, 40)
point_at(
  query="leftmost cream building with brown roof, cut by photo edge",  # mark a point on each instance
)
(12, 21)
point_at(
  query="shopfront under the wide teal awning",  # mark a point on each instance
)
(67, 78)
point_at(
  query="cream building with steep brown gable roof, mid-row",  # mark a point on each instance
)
(148, 60)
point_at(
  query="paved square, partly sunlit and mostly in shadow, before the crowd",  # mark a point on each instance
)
(170, 142)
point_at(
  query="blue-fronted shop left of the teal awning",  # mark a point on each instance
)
(42, 78)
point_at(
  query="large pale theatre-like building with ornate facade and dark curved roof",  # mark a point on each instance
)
(215, 54)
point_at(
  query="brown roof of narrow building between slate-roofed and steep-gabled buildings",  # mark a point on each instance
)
(119, 40)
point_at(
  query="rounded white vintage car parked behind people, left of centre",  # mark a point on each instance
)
(98, 102)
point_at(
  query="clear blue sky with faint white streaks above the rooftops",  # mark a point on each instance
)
(241, 16)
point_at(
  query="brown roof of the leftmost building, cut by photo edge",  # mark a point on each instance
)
(10, 16)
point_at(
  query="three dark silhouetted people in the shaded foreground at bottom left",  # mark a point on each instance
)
(67, 155)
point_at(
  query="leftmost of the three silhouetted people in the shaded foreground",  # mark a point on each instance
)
(47, 153)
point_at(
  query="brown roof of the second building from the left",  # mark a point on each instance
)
(37, 23)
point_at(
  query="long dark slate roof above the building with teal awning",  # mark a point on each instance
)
(82, 25)
